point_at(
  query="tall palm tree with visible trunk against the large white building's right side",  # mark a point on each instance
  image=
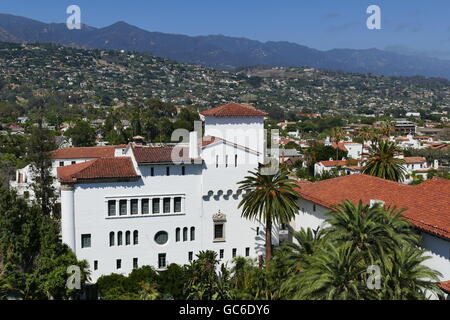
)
(271, 198)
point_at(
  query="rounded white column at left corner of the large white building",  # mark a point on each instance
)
(68, 216)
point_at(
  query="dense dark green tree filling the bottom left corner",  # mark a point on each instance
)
(34, 261)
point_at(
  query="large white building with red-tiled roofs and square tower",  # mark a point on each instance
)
(161, 205)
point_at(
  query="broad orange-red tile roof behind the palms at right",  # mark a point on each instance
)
(427, 204)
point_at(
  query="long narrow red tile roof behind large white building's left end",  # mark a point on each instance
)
(85, 153)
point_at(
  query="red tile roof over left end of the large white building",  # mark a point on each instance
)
(98, 169)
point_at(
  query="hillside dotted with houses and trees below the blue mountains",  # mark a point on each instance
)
(106, 78)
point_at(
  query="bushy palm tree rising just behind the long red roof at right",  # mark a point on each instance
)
(382, 162)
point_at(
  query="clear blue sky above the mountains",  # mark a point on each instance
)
(415, 25)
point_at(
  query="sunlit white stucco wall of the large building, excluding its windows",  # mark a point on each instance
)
(206, 191)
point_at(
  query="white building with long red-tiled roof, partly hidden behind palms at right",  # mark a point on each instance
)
(427, 204)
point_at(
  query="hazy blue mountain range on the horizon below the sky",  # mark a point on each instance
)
(220, 51)
